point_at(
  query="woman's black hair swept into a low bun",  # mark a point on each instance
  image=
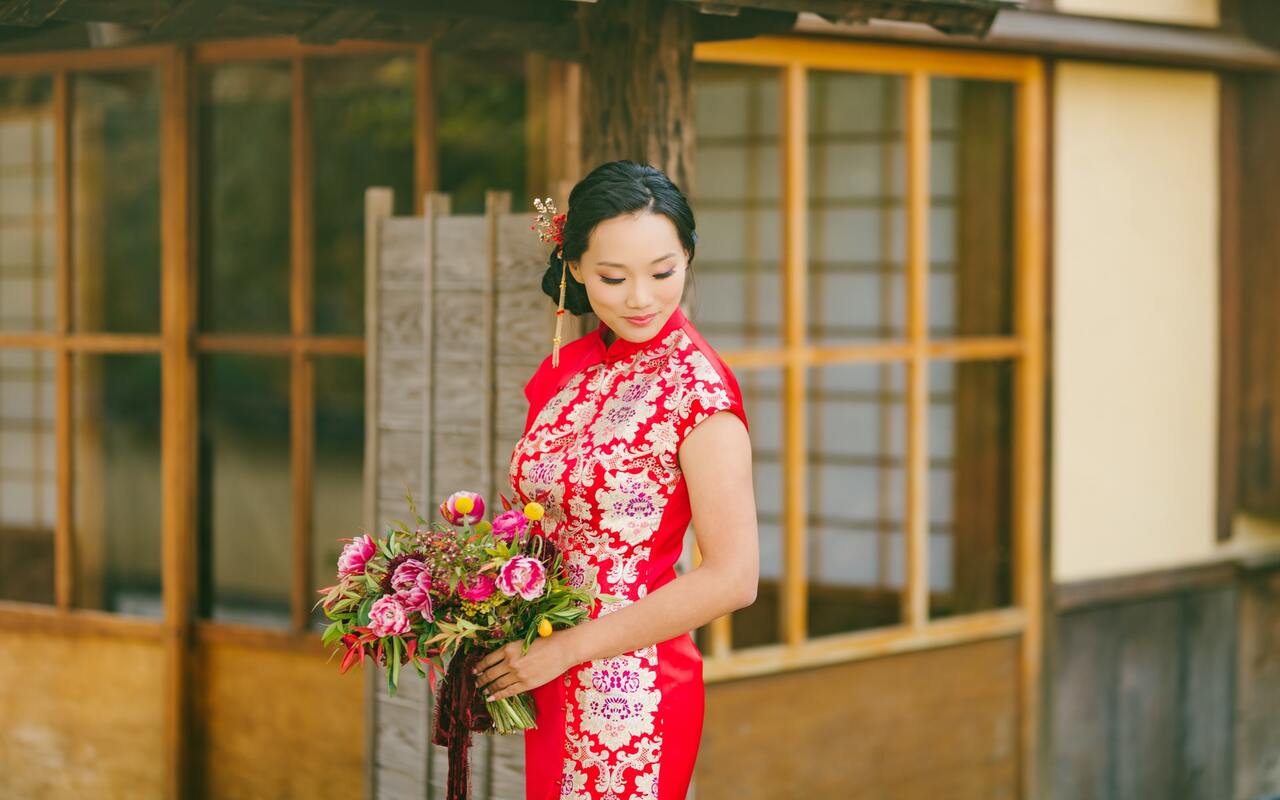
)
(611, 190)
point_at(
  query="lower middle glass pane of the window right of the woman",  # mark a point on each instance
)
(857, 454)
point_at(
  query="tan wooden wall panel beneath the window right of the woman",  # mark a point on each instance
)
(917, 726)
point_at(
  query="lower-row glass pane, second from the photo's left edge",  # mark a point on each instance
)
(116, 479)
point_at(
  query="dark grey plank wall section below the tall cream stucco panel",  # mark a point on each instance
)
(1144, 691)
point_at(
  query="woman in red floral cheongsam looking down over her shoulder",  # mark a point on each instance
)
(639, 429)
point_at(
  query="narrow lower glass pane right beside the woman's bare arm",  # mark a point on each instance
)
(762, 399)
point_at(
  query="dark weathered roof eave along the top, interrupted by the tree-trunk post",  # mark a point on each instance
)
(463, 24)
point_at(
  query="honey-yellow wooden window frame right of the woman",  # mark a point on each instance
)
(794, 58)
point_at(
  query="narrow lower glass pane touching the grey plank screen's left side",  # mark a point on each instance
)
(337, 509)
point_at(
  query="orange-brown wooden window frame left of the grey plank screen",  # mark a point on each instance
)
(180, 348)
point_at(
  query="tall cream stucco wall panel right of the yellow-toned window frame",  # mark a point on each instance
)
(1136, 319)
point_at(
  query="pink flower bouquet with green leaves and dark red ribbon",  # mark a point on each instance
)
(438, 597)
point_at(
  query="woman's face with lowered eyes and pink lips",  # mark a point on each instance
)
(634, 271)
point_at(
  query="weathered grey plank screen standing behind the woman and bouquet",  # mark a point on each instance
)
(458, 324)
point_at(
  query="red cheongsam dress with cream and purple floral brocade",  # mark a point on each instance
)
(601, 454)
